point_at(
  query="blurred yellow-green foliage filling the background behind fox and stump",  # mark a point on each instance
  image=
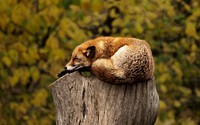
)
(37, 37)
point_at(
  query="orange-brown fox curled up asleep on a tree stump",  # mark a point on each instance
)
(113, 59)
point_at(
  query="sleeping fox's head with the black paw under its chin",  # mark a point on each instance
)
(81, 58)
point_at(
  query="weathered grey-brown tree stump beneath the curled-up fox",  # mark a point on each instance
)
(89, 101)
